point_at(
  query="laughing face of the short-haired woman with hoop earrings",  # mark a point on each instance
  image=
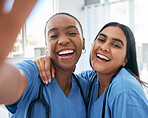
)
(64, 41)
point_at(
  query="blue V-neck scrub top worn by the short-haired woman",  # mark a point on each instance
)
(60, 106)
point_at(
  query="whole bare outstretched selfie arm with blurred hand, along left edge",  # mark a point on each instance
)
(13, 81)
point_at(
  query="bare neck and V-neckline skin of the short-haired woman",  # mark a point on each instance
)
(64, 80)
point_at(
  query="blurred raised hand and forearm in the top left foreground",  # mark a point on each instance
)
(11, 23)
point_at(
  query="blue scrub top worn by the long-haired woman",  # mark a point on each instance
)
(125, 97)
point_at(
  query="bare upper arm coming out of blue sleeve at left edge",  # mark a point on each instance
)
(13, 83)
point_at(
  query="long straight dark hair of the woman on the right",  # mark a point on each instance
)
(131, 56)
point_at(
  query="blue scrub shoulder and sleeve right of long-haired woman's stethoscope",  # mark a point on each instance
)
(127, 98)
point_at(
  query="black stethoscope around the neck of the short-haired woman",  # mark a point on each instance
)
(41, 100)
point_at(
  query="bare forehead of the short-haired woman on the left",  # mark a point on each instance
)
(62, 21)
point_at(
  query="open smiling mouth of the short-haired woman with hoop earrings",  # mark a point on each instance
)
(66, 53)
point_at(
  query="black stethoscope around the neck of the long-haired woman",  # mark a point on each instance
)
(104, 100)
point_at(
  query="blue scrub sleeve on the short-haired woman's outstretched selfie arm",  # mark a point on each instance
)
(31, 91)
